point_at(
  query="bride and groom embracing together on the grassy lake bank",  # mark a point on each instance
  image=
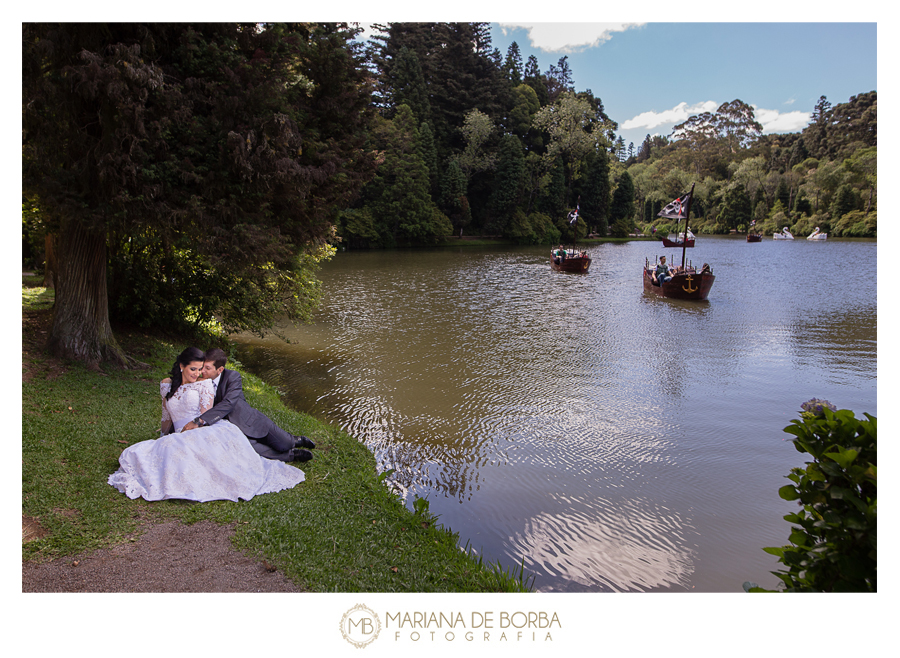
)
(213, 445)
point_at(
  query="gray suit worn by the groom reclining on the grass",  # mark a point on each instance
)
(267, 438)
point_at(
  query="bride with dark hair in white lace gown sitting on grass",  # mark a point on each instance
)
(214, 462)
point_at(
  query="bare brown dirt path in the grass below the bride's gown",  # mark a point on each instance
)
(166, 557)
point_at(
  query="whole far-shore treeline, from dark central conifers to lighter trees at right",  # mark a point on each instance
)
(479, 142)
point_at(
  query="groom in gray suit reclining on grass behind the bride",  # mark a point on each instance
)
(267, 438)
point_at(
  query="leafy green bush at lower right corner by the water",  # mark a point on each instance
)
(833, 536)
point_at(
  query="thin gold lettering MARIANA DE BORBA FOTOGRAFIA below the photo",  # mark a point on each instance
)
(479, 626)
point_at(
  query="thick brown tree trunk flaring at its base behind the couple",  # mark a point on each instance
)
(81, 329)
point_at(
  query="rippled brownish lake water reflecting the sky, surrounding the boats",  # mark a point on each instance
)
(614, 441)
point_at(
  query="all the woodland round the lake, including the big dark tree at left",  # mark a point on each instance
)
(176, 175)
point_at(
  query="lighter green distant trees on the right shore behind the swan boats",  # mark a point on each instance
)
(825, 175)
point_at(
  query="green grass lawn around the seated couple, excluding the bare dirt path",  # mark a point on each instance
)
(340, 530)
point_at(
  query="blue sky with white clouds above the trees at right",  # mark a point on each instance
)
(651, 76)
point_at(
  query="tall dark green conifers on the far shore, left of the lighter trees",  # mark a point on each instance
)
(472, 141)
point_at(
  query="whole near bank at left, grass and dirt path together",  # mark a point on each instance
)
(342, 530)
